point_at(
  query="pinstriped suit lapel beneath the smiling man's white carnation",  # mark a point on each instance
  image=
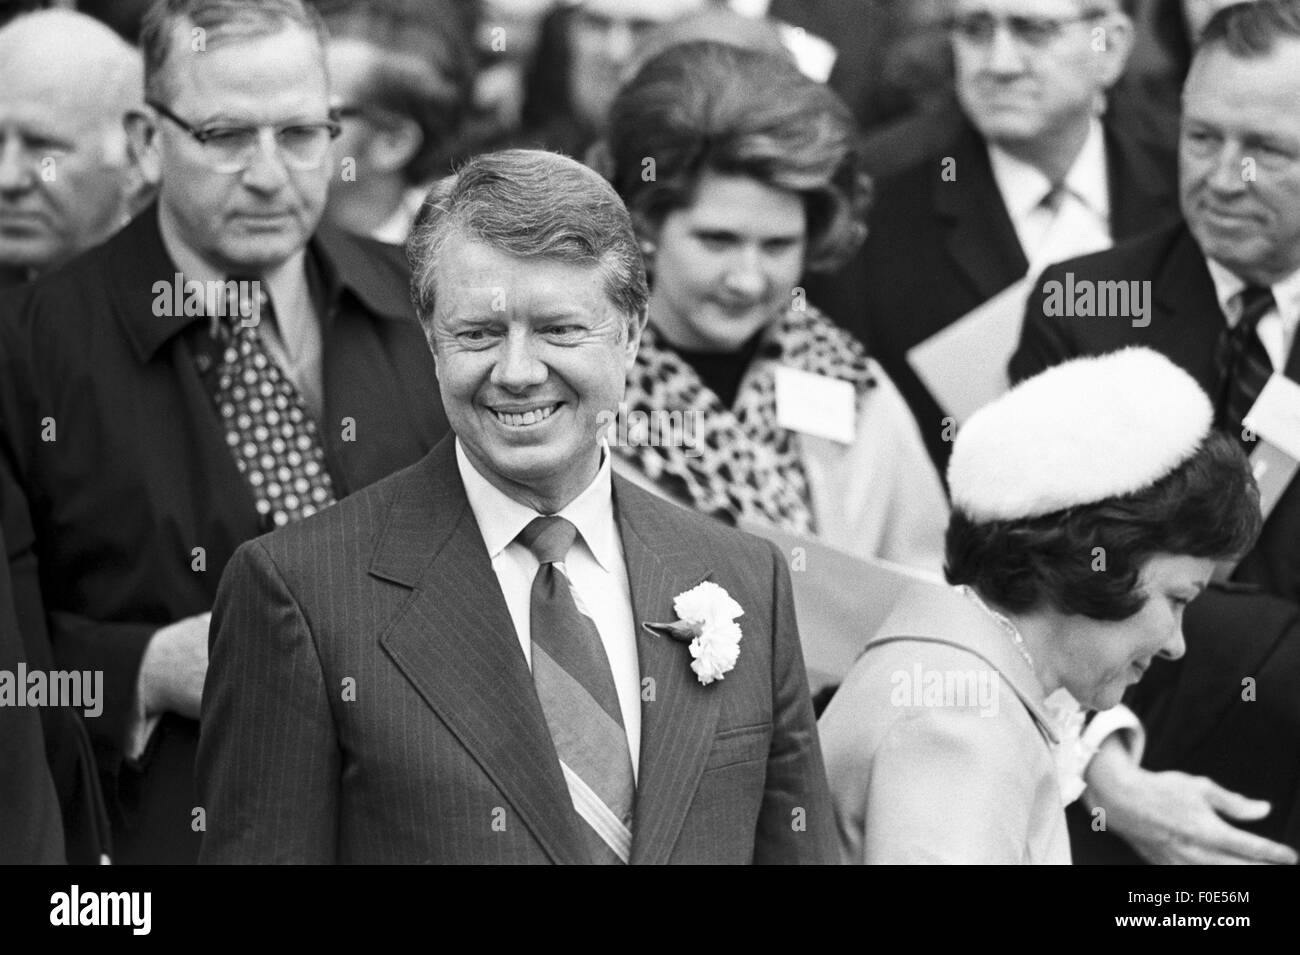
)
(679, 717)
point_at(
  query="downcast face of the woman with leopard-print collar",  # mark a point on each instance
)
(726, 267)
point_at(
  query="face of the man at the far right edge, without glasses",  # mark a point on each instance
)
(1240, 160)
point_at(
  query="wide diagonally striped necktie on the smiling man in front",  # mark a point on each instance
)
(575, 687)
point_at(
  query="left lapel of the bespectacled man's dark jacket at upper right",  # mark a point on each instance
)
(980, 236)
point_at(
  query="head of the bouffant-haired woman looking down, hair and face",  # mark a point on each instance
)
(740, 173)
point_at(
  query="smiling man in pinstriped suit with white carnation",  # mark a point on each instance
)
(504, 653)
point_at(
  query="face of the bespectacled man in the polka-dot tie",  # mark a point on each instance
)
(252, 219)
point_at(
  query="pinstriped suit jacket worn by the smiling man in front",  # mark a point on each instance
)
(444, 754)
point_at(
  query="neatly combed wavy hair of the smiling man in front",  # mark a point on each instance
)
(530, 205)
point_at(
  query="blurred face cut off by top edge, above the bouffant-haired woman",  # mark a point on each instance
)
(603, 38)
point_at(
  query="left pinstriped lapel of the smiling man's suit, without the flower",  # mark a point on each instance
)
(456, 643)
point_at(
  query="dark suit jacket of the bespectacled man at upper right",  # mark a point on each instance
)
(937, 250)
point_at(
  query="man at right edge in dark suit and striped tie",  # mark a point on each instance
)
(1223, 294)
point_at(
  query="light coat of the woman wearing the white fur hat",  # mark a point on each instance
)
(922, 775)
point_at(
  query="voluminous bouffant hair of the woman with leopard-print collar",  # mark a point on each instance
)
(712, 107)
